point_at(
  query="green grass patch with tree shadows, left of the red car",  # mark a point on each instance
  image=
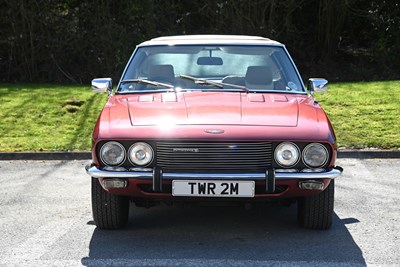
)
(47, 117)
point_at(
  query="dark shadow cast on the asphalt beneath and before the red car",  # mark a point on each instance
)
(218, 233)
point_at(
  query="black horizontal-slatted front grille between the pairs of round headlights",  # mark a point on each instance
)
(214, 156)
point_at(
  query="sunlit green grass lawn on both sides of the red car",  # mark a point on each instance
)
(61, 118)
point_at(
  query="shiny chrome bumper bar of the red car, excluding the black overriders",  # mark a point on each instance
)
(97, 173)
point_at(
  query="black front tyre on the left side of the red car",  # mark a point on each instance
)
(109, 211)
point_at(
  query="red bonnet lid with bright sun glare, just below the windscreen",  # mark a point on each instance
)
(212, 108)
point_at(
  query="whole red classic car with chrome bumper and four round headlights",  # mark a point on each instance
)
(212, 118)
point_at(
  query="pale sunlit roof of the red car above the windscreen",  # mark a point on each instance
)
(210, 40)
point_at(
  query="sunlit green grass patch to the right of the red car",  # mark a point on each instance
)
(364, 114)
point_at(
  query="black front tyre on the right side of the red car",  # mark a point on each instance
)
(316, 212)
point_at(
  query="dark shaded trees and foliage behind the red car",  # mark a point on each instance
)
(73, 41)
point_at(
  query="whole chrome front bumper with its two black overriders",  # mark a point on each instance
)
(307, 180)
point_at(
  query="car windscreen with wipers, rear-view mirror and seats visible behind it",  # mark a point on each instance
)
(210, 67)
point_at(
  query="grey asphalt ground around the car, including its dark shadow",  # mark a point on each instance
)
(45, 220)
